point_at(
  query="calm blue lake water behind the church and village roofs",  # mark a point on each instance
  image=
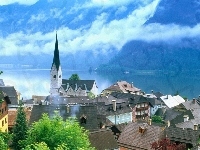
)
(37, 81)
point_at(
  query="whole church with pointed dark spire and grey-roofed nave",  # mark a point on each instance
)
(65, 87)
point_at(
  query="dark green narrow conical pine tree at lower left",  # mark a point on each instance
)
(20, 128)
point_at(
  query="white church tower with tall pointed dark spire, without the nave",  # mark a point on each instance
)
(56, 72)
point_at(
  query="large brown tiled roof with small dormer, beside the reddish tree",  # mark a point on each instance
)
(131, 137)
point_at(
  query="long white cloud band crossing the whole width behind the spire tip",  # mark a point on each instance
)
(100, 36)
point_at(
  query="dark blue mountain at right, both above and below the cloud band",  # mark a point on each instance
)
(174, 54)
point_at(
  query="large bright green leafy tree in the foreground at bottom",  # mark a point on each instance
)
(58, 134)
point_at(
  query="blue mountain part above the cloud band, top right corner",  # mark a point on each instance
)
(181, 12)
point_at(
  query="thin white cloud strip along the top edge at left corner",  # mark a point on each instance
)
(22, 2)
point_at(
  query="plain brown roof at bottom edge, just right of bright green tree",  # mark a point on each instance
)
(103, 139)
